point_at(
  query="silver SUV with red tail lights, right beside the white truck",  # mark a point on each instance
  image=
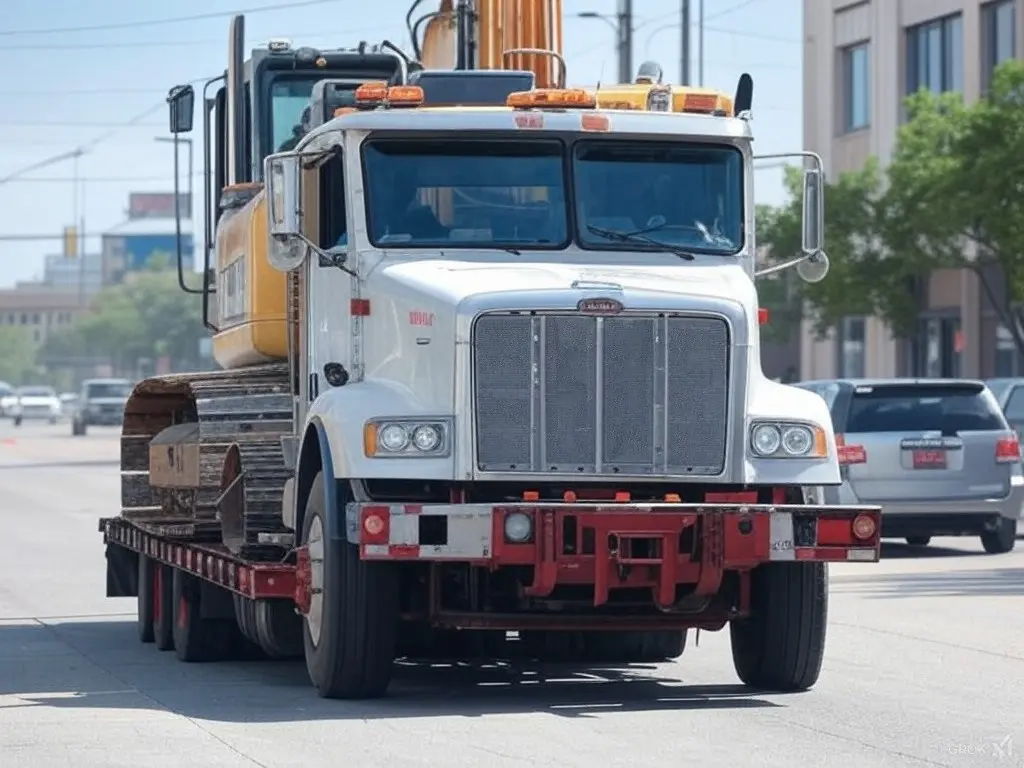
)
(937, 455)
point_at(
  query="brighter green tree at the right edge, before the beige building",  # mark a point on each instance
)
(955, 197)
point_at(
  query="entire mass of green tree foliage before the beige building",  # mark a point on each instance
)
(953, 197)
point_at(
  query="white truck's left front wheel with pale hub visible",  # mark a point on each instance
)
(351, 632)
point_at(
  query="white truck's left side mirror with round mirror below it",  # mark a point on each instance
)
(284, 211)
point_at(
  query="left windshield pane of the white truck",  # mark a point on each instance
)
(466, 193)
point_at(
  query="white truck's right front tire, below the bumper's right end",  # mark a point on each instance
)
(781, 646)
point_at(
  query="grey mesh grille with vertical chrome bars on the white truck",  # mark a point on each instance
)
(570, 394)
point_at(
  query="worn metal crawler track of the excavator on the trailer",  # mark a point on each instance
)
(249, 409)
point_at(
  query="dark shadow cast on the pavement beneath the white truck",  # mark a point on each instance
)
(103, 665)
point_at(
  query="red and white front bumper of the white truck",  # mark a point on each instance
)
(613, 546)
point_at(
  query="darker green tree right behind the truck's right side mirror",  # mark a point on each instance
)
(862, 279)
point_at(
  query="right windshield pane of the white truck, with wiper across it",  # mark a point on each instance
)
(686, 195)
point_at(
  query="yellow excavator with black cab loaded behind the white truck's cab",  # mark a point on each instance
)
(464, 54)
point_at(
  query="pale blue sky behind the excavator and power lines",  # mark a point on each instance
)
(68, 88)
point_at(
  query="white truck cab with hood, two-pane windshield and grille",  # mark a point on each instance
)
(503, 289)
